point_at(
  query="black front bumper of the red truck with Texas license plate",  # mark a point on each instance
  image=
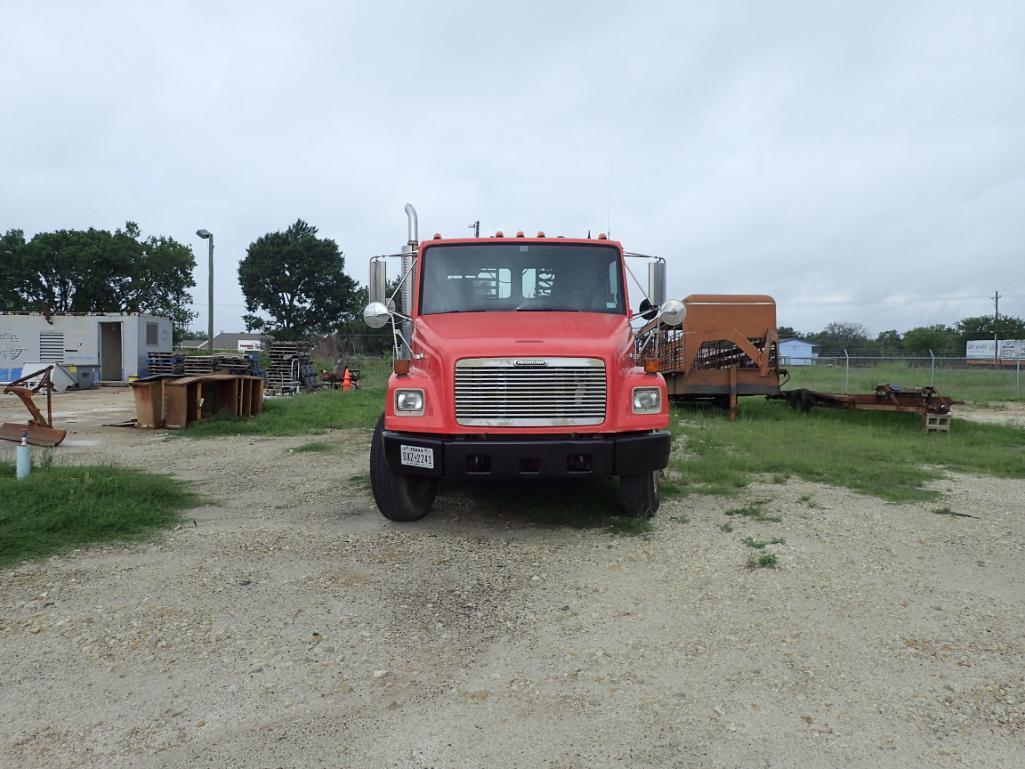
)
(535, 457)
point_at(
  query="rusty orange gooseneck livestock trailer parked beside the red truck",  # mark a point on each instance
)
(727, 347)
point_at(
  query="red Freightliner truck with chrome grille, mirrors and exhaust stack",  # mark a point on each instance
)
(516, 359)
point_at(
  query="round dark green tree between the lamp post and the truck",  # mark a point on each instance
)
(296, 285)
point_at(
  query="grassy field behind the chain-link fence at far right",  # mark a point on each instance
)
(976, 385)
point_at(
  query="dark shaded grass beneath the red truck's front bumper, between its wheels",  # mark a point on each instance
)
(578, 505)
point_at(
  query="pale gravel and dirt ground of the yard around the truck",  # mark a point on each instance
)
(288, 624)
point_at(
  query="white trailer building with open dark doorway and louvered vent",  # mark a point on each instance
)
(117, 343)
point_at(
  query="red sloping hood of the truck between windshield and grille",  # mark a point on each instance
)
(457, 336)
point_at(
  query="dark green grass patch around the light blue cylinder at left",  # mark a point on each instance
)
(61, 508)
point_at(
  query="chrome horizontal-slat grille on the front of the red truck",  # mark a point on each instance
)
(518, 392)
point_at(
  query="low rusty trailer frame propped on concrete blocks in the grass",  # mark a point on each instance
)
(926, 401)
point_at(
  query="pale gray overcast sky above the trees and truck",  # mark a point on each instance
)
(859, 161)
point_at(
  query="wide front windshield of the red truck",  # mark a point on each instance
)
(522, 278)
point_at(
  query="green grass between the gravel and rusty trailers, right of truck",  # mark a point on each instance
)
(885, 455)
